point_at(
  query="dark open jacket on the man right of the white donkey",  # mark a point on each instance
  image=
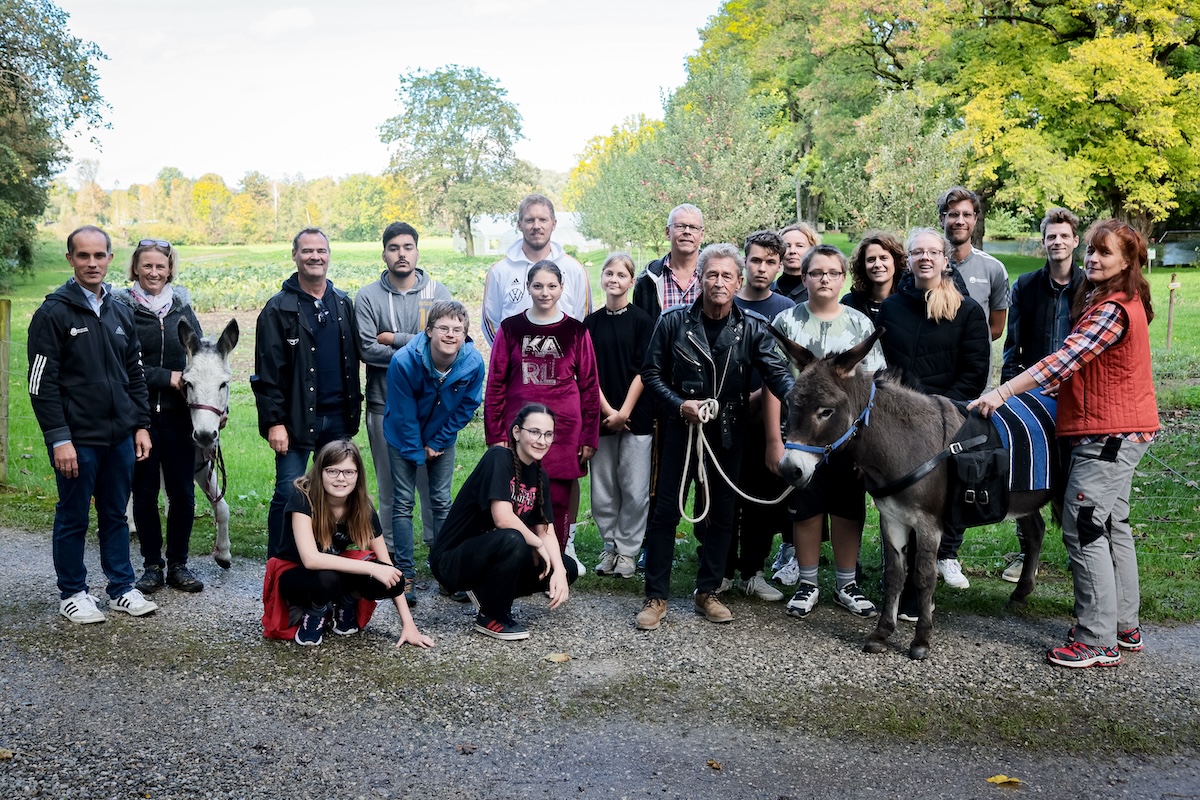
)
(285, 380)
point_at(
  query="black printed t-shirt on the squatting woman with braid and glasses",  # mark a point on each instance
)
(494, 480)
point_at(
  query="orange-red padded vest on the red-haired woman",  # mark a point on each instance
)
(1115, 392)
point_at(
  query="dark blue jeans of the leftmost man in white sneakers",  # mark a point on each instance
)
(105, 474)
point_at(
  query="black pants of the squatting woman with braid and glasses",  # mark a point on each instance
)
(499, 567)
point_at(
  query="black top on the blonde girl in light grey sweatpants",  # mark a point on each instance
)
(620, 341)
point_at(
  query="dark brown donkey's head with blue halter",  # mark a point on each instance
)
(820, 407)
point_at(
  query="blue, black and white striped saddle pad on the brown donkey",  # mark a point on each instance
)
(1027, 426)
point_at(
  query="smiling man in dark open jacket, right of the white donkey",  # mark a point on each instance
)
(307, 370)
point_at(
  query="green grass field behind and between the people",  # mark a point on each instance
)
(236, 281)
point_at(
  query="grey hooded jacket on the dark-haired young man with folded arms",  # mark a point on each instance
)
(381, 308)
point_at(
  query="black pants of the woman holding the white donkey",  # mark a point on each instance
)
(173, 455)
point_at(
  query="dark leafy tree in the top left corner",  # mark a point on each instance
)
(47, 86)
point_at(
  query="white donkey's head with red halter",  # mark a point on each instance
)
(207, 378)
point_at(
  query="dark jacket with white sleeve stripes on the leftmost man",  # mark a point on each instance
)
(86, 378)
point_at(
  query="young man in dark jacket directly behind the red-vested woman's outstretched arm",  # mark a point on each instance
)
(1039, 324)
